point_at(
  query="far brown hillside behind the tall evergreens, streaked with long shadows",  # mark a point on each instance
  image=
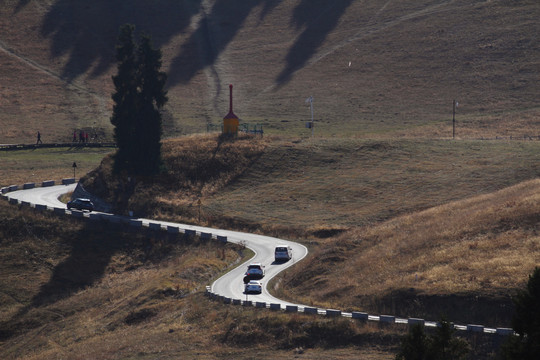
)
(375, 69)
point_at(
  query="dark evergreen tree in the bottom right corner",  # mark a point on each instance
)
(526, 322)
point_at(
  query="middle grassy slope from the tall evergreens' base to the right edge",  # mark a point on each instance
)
(279, 184)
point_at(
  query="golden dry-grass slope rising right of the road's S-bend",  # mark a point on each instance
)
(481, 246)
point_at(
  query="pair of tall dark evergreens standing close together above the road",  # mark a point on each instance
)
(139, 96)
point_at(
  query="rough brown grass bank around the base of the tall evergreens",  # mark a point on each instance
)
(197, 167)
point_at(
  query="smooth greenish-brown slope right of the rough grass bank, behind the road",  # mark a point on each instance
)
(344, 183)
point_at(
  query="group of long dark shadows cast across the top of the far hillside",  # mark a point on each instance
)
(87, 31)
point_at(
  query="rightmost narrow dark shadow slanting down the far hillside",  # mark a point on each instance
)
(318, 18)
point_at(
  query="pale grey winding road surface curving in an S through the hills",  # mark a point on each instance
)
(229, 285)
